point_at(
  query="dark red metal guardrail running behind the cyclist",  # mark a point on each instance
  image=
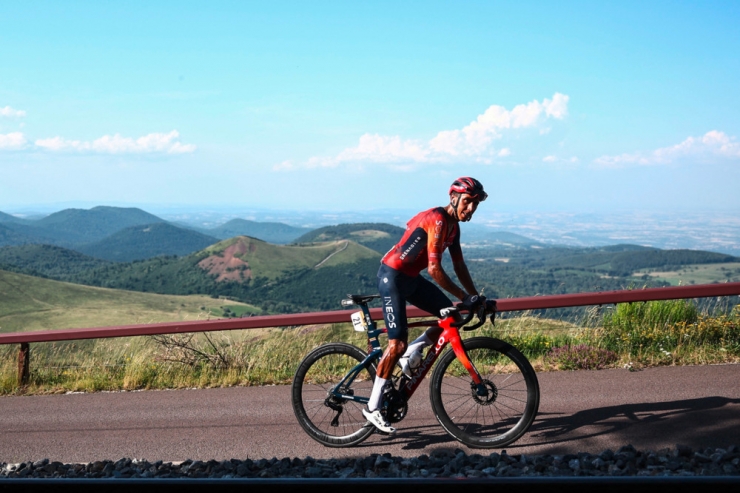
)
(338, 316)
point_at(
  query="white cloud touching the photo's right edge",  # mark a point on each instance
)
(710, 146)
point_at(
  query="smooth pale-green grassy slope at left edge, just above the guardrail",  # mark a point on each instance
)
(31, 303)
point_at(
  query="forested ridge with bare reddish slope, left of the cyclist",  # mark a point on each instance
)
(277, 278)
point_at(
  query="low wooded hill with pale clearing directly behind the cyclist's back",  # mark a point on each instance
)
(377, 236)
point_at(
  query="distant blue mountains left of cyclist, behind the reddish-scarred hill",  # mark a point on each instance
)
(126, 234)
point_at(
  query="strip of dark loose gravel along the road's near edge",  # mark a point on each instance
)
(680, 461)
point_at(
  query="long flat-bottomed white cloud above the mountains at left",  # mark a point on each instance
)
(116, 144)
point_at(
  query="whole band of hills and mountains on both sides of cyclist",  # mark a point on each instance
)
(291, 269)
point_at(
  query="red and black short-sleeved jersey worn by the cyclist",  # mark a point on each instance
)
(427, 236)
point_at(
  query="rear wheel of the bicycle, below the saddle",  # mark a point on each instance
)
(319, 372)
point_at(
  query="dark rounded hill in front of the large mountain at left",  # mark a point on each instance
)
(147, 241)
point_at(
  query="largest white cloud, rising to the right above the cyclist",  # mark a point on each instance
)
(474, 142)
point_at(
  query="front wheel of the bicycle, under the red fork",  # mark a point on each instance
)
(512, 397)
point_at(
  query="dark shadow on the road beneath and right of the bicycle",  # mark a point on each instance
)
(701, 422)
